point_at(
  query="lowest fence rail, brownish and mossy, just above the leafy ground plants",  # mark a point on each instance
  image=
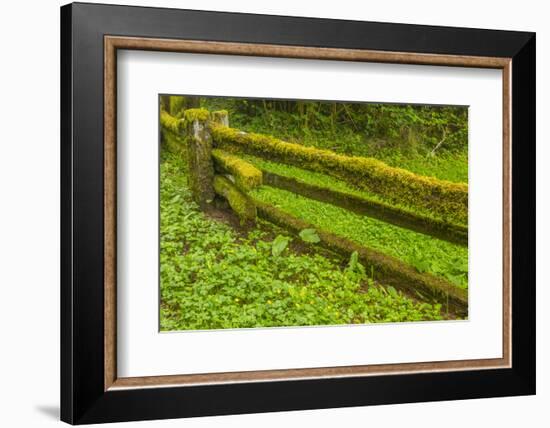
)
(387, 269)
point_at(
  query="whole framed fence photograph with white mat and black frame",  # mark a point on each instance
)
(265, 213)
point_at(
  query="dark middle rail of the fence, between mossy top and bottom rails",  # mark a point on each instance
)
(379, 210)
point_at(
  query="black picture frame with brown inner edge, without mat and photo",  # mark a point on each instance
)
(91, 391)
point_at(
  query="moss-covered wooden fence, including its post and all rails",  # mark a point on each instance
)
(212, 149)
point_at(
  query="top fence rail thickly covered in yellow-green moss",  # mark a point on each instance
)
(445, 199)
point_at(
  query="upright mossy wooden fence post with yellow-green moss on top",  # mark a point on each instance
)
(199, 149)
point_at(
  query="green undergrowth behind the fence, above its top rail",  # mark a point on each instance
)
(395, 134)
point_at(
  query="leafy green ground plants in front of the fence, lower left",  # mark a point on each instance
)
(212, 277)
